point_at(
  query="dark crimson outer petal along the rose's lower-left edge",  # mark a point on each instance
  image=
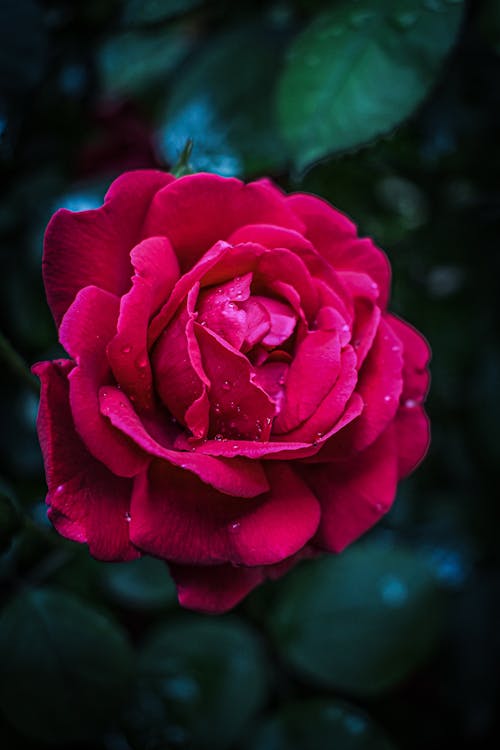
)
(86, 502)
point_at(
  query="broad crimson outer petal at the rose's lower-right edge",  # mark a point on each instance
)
(354, 494)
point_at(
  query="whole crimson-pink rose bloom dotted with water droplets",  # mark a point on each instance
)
(236, 396)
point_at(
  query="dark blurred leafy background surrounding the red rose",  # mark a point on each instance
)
(391, 111)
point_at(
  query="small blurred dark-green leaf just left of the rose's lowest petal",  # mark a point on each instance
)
(141, 584)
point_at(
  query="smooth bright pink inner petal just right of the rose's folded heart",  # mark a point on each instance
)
(312, 374)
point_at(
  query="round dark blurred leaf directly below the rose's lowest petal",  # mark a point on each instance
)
(202, 681)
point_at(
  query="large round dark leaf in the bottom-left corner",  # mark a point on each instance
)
(65, 667)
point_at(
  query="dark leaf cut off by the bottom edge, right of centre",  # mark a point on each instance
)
(316, 724)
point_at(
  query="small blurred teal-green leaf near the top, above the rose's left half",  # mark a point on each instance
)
(132, 62)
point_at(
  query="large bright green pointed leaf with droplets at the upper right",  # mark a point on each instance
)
(359, 70)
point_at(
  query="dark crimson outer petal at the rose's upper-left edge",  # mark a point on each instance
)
(92, 247)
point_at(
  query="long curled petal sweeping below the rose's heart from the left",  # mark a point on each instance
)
(237, 476)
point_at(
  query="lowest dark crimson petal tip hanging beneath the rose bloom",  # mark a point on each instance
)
(214, 589)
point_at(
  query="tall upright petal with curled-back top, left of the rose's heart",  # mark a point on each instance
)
(156, 271)
